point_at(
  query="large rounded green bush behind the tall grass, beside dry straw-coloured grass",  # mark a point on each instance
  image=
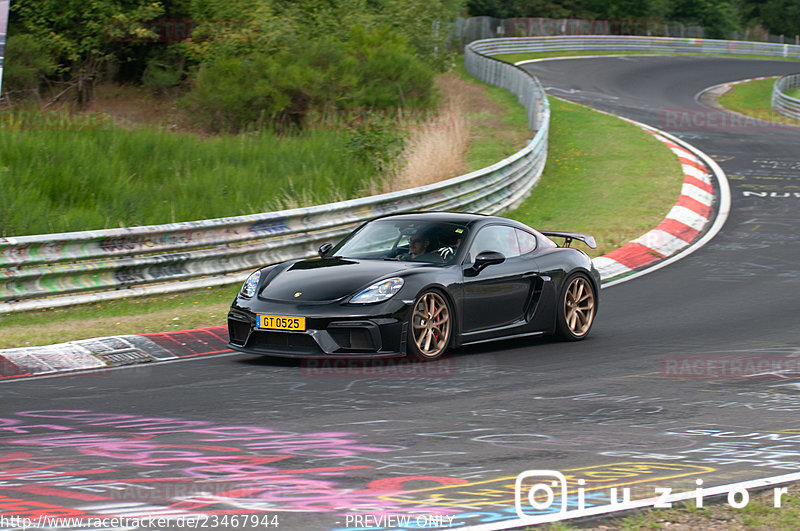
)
(371, 69)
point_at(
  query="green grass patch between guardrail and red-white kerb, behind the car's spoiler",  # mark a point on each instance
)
(603, 176)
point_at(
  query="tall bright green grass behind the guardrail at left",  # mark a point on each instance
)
(63, 174)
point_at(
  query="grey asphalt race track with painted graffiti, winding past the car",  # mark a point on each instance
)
(691, 373)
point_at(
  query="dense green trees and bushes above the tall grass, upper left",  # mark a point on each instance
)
(242, 62)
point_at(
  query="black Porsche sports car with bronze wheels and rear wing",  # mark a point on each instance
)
(417, 284)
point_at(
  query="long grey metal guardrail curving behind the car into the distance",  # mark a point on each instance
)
(34, 267)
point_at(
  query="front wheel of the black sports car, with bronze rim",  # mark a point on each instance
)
(430, 326)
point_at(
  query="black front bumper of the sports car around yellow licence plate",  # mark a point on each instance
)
(332, 330)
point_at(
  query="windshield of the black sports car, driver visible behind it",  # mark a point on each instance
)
(434, 243)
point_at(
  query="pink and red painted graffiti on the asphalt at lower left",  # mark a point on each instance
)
(85, 463)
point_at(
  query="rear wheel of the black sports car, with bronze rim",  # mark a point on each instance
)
(576, 308)
